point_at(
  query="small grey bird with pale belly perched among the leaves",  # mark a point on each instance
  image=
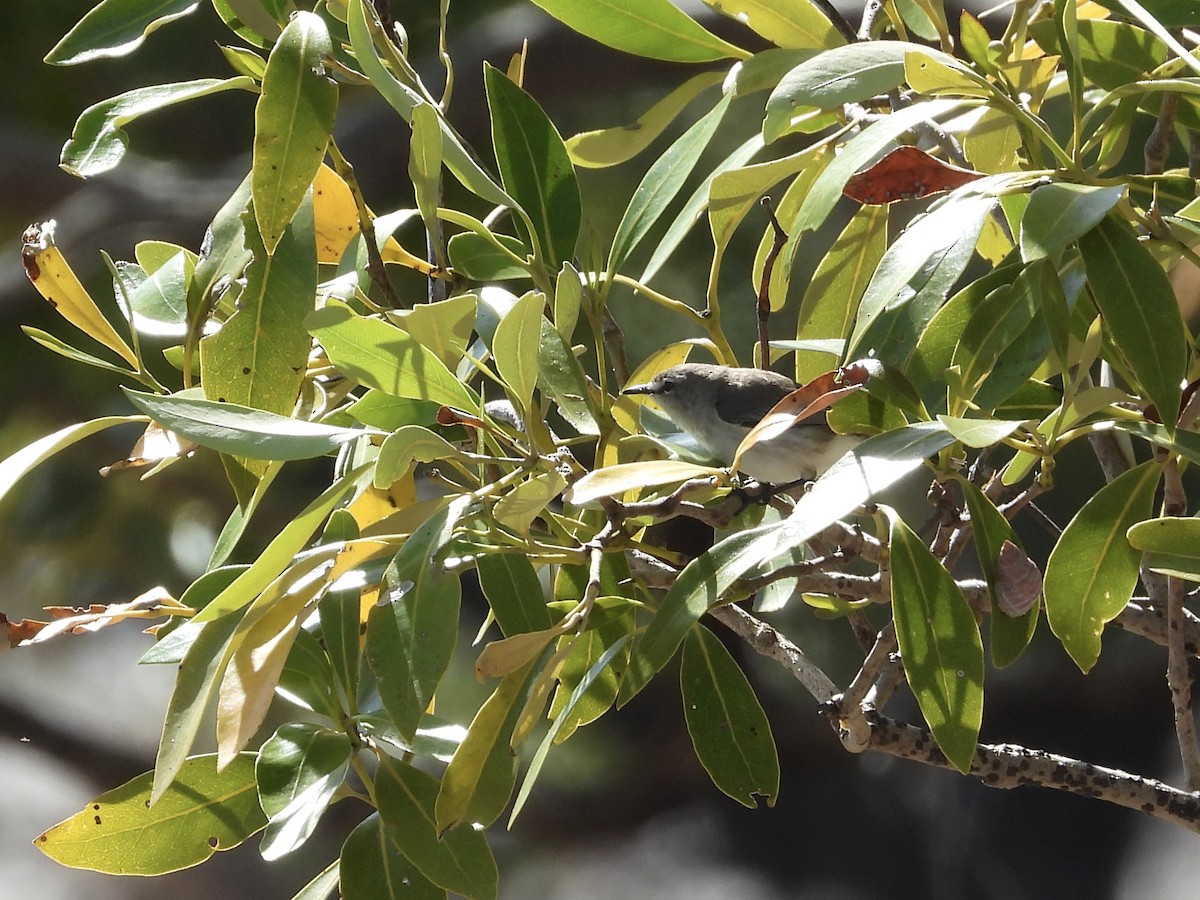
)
(718, 406)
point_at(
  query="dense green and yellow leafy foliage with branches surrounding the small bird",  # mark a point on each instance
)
(975, 335)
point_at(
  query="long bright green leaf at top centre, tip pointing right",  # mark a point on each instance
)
(645, 28)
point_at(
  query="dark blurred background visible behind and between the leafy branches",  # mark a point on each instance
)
(623, 809)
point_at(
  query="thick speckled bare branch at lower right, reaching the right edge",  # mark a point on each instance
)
(1010, 766)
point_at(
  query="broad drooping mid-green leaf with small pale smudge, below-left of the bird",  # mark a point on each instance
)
(412, 634)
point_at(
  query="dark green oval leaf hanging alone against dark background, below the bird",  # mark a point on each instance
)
(729, 729)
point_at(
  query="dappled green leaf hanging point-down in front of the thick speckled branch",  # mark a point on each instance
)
(940, 645)
